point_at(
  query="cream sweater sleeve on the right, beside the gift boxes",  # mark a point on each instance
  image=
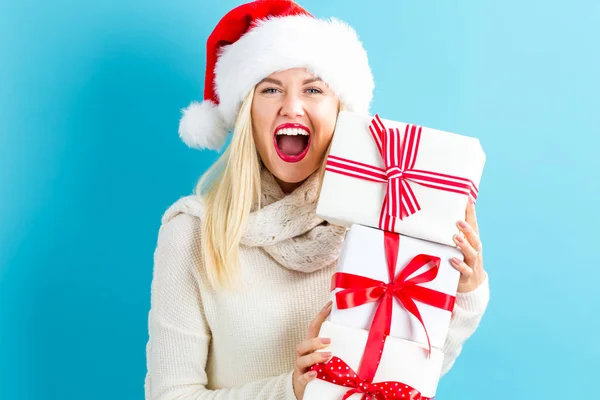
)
(467, 313)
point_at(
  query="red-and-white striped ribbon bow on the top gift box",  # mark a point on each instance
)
(399, 158)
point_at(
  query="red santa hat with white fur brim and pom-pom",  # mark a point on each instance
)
(259, 38)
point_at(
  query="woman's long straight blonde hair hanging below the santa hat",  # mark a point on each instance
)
(228, 191)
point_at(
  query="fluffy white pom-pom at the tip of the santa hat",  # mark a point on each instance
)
(202, 126)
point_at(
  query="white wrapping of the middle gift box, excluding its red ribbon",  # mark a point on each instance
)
(363, 254)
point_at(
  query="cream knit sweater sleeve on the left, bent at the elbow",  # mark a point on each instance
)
(179, 336)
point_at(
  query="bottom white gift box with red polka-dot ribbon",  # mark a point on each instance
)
(405, 370)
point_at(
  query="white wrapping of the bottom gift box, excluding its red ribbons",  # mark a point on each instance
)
(402, 361)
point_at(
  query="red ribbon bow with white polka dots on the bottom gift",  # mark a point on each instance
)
(336, 371)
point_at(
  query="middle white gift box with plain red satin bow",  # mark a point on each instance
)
(410, 281)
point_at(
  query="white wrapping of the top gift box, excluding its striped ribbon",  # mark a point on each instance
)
(345, 200)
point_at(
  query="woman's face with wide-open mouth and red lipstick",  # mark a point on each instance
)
(293, 118)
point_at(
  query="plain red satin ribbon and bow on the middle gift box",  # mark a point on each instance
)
(359, 290)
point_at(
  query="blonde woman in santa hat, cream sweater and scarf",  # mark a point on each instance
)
(242, 268)
